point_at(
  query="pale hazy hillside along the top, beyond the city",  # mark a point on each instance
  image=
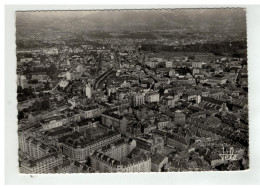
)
(212, 20)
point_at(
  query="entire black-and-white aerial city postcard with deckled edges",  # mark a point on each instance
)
(132, 91)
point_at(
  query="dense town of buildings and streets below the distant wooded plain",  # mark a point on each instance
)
(107, 106)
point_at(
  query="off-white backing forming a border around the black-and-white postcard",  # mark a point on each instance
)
(11, 141)
